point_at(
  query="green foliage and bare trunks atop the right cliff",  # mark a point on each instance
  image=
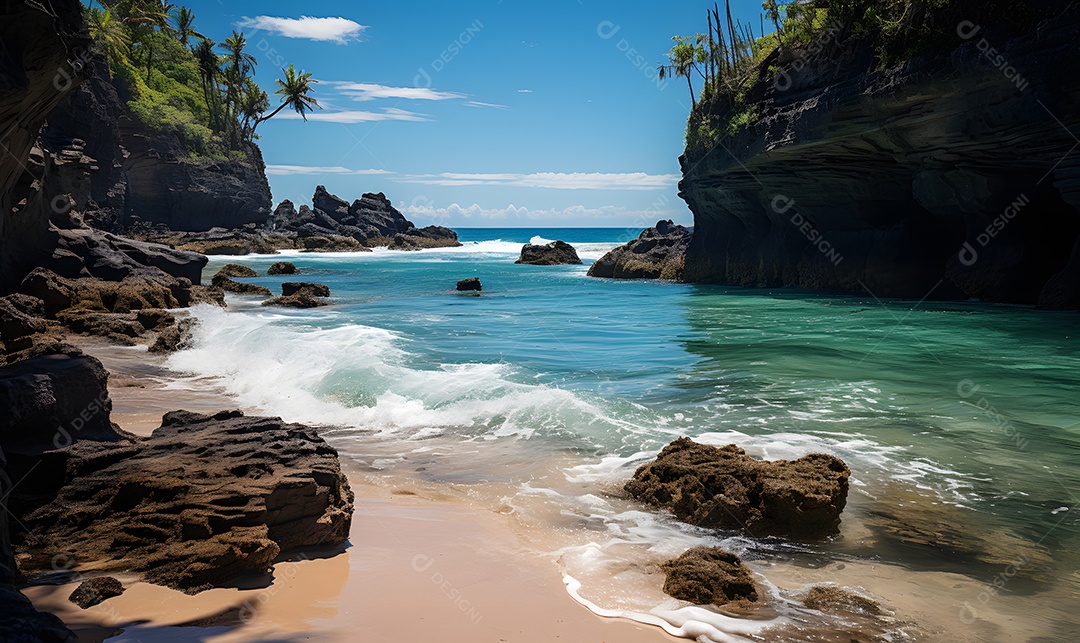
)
(732, 61)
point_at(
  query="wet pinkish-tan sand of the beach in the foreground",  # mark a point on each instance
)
(410, 550)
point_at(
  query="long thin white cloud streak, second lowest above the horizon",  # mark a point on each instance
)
(634, 181)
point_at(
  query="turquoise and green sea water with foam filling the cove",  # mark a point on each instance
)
(545, 393)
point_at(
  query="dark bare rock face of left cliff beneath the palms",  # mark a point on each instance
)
(136, 176)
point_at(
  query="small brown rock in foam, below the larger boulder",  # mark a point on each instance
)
(709, 575)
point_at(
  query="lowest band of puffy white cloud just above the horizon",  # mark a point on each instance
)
(574, 213)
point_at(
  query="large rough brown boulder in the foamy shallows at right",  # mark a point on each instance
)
(724, 488)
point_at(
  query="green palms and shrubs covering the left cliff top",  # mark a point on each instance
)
(175, 79)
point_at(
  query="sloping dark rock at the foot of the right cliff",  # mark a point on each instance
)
(658, 253)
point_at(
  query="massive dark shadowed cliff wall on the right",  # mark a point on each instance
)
(950, 176)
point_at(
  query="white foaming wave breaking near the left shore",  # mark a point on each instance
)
(361, 378)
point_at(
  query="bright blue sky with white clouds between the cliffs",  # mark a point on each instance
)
(479, 114)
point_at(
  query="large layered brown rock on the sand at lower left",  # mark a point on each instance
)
(201, 502)
